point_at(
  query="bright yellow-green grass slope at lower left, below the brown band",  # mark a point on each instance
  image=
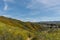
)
(8, 32)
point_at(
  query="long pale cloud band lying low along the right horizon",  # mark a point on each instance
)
(45, 18)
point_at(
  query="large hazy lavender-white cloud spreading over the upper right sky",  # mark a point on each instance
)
(45, 5)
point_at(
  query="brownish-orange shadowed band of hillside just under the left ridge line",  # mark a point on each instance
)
(17, 23)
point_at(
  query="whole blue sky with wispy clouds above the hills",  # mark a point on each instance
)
(31, 10)
